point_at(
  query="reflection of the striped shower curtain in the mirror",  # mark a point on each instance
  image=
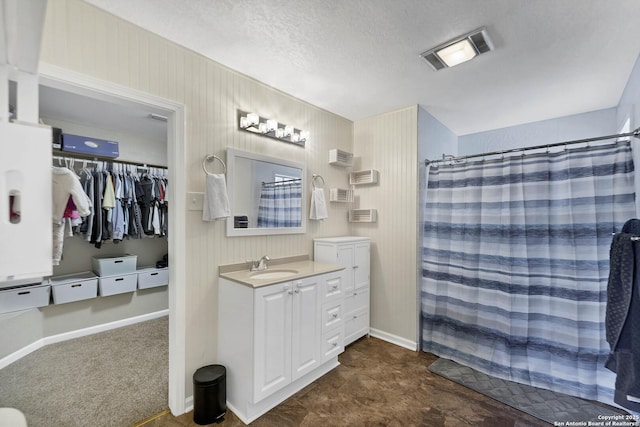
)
(280, 205)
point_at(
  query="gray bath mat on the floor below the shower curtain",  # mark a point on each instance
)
(543, 404)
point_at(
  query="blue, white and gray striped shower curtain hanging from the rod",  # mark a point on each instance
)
(515, 262)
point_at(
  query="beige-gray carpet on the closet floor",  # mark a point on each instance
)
(114, 378)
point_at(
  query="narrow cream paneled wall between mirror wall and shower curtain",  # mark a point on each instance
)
(389, 144)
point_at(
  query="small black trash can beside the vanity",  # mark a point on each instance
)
(209, 394)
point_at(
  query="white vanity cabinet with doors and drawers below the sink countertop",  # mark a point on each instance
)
(271, 339)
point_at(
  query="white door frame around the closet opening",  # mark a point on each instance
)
(82, 84)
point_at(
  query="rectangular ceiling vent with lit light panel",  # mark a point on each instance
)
(458, 50)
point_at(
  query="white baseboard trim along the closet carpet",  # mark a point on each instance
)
(17, 355)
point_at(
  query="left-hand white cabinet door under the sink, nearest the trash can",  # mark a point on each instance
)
(272, 363)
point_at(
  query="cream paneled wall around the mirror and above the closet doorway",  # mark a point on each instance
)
(85, 39)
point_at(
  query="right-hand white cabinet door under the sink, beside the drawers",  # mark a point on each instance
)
(307, 326)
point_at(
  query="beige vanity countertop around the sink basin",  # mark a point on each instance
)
(303, 266)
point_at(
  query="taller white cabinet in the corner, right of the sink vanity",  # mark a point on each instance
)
(353, 253)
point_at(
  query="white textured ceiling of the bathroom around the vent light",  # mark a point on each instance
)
(358, 58)
